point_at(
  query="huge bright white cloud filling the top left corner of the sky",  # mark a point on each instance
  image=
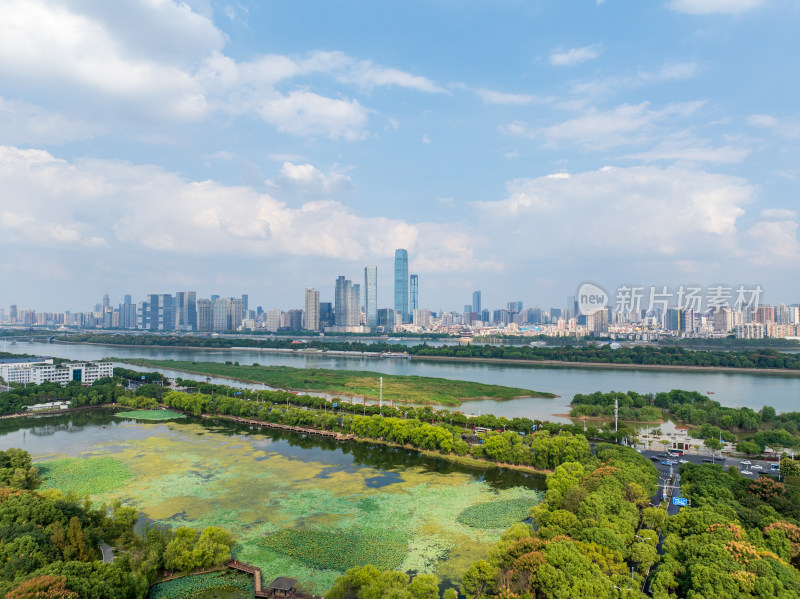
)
(160, 62)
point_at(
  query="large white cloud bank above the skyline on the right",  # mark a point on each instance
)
(670, 213)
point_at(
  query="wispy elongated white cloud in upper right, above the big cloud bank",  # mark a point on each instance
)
(602, 129)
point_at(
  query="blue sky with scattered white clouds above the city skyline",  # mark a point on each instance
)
(516, 147)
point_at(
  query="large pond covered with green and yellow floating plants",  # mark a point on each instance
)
(300, 506)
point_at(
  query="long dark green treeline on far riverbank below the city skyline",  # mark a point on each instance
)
(639, 355)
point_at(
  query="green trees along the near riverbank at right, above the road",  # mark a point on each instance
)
(770, 429)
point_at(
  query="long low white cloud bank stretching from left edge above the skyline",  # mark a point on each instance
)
(49, 202)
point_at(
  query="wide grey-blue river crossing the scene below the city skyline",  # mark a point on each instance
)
(729, 388)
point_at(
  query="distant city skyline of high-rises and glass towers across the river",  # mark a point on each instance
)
(355, 309)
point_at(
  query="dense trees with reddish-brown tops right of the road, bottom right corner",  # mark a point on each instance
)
(741, 538)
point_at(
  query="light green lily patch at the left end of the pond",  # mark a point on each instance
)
(85, 476)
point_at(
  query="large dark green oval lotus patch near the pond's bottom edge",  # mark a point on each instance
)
(341, 550)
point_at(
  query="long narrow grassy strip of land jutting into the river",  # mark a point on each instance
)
(402, 389)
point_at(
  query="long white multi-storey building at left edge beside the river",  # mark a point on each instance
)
(40, 370)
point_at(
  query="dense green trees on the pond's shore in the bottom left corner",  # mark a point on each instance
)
(49, 543)
